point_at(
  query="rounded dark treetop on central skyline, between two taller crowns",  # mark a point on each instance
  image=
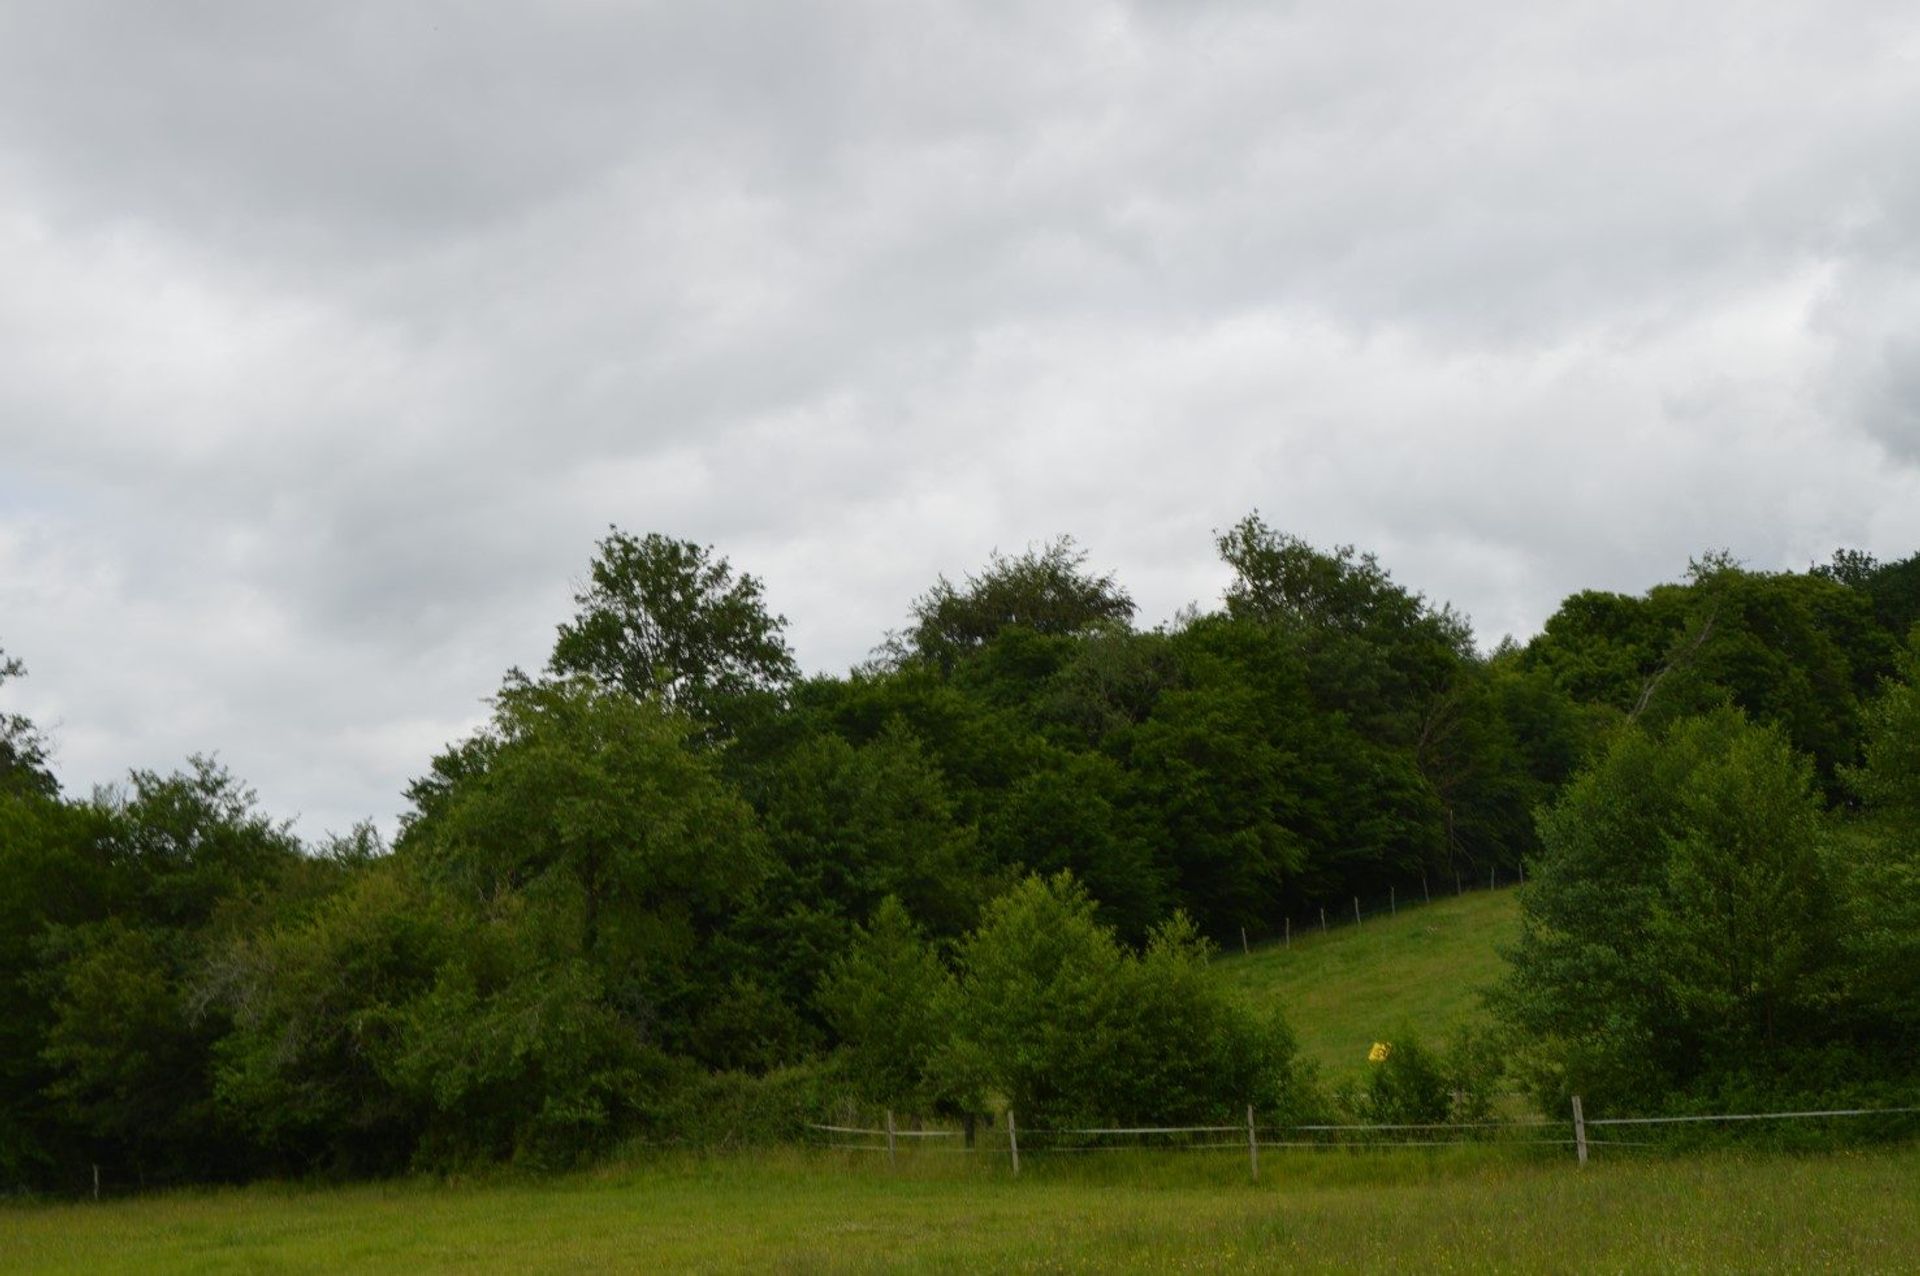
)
(1047, 590)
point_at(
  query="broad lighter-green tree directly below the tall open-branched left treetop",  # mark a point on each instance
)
(587, 809)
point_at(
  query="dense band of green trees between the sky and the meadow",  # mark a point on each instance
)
(673, 878)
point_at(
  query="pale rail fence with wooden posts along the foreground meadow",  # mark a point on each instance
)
(1249, 1139)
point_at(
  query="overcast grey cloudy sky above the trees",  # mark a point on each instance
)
(333, 337)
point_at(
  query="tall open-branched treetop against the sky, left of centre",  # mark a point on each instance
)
(669, 619)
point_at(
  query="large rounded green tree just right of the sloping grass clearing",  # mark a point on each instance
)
(1681, 918)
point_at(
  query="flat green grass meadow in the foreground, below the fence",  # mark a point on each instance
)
(792, 1212)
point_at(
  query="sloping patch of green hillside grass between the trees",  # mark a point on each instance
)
(1358, 985)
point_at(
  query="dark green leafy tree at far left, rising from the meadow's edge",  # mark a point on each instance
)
(143, 887)
